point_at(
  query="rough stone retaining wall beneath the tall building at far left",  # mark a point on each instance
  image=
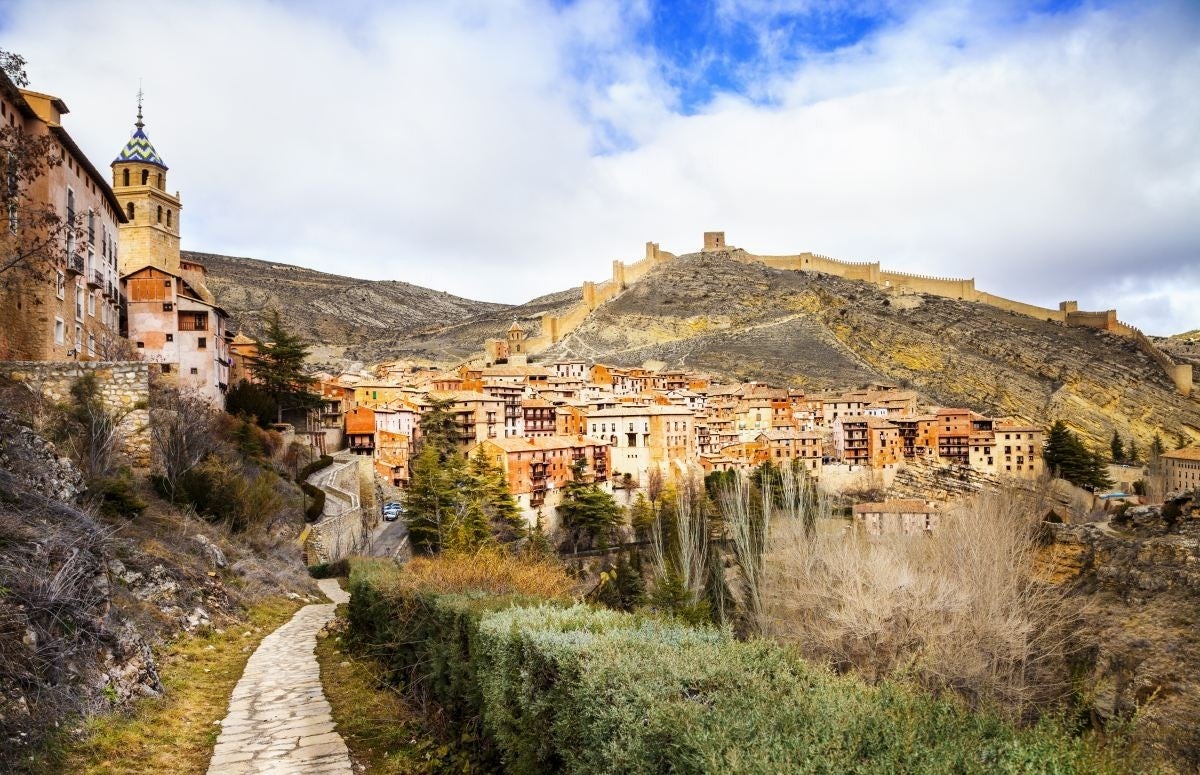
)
(124, 388)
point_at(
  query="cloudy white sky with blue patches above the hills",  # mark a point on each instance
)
(505, 149)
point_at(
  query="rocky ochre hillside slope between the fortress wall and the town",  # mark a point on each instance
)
(745, 321)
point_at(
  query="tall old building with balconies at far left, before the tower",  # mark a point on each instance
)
(64, 304)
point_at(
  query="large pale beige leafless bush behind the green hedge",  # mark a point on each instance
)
(958, 611)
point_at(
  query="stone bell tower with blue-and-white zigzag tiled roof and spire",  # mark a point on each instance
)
(140, 182)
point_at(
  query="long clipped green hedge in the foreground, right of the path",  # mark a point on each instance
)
(567, 688)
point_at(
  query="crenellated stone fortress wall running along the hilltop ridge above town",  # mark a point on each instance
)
(555, 328)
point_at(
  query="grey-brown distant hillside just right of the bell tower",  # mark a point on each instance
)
(331, 310)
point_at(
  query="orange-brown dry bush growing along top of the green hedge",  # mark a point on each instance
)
(491, 570)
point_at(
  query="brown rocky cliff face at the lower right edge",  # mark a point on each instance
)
(1138, 585)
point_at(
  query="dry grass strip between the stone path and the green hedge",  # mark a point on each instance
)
(386, 735)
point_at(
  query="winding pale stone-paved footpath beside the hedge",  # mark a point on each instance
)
(280, 723)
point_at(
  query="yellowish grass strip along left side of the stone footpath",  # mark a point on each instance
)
(173, 734)
